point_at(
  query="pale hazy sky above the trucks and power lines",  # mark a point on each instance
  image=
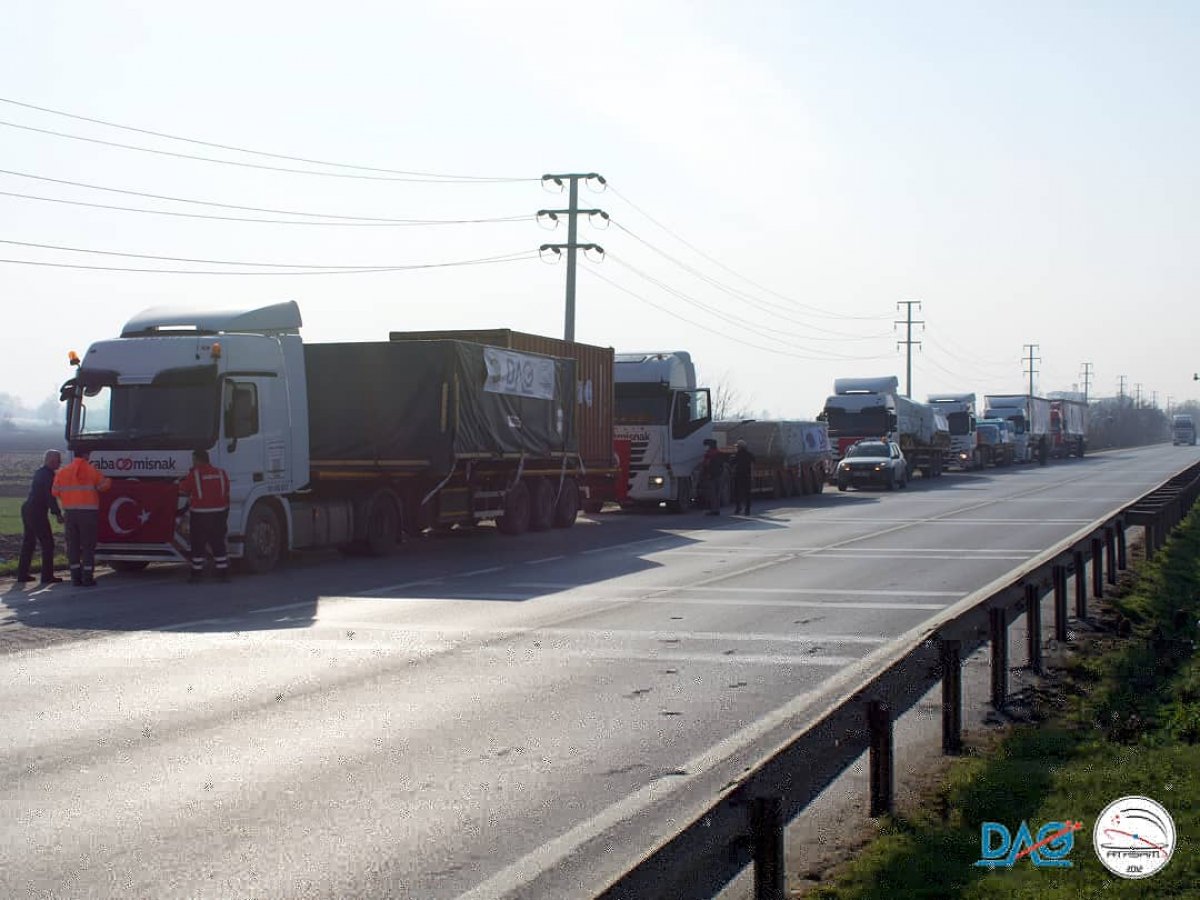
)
(1027, 170)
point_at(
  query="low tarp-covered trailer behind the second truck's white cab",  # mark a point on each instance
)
(791, 458)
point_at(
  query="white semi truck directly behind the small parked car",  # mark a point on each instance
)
(874, 409)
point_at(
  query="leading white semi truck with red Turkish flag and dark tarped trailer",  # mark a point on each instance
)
(339, 445)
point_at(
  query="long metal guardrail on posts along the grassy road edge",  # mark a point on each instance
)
(746, 825)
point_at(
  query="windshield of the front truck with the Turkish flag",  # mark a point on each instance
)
(173, 413)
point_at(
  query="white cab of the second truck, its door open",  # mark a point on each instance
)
(667, 419)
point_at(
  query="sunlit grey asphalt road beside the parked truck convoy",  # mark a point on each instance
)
(478, 716)
